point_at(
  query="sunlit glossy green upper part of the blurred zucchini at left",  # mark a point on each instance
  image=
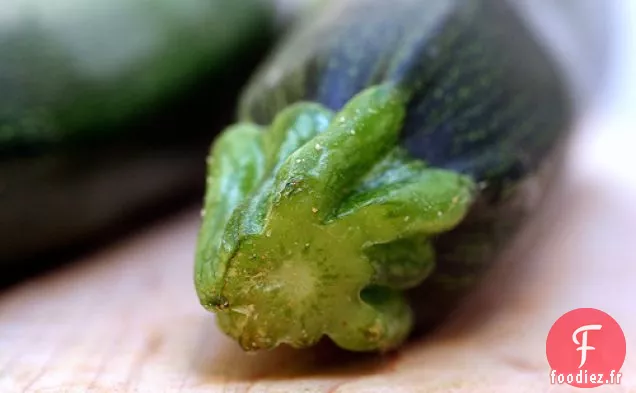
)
(76, 67)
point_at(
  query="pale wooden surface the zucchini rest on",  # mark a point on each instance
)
(126, 319)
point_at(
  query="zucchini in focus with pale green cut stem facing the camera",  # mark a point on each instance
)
(375, 170)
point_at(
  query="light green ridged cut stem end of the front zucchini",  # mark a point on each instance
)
(314, 226)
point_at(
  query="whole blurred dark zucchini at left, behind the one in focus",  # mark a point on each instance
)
(106, 110)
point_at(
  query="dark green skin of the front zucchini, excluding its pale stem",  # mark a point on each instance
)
(486, 100)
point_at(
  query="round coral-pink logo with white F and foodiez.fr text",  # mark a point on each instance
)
(586, 349)
